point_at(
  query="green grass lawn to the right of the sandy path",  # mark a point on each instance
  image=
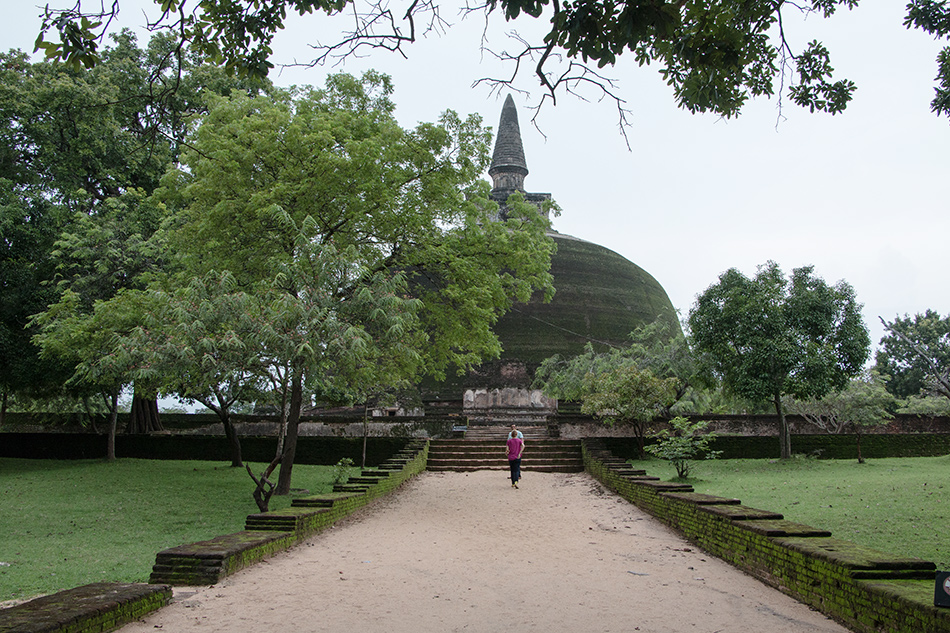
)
(896, 505)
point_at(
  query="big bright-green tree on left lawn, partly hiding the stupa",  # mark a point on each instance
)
(372, 247)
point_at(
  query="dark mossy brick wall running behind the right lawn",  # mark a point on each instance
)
(822, 446)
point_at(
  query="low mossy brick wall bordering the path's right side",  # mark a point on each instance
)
(866, 590)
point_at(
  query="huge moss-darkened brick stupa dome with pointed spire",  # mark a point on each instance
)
(600, 297)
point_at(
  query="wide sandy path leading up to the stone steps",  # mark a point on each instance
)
(466, 552)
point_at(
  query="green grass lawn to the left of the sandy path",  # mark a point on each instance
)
(68, 523)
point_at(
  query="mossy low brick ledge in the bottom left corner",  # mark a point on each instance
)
(93, 608)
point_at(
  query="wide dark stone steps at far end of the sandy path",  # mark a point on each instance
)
(541, 455)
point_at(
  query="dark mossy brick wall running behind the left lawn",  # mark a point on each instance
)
(310, 450)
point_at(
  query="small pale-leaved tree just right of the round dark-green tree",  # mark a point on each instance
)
(863, 403)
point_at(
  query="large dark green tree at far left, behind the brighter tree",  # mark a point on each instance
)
(83, 151)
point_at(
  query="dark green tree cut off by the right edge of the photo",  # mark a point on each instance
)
(915, 355)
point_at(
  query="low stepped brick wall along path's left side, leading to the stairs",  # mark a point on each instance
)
(207, 562)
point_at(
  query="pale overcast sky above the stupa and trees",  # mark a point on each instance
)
(862, 196)
